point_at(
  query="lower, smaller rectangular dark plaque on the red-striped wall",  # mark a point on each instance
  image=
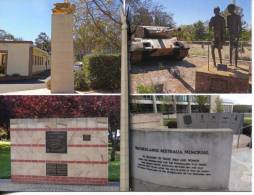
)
(53, 169)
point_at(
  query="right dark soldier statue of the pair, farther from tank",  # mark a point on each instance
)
(234, 27)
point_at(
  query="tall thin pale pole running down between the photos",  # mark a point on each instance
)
(124, 142)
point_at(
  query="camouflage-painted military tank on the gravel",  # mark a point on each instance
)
(157, 42)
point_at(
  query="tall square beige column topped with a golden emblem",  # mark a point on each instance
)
(62, 59)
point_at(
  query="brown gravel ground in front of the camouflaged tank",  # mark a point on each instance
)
(154, 73)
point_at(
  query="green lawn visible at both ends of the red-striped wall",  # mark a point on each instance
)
(5, 164)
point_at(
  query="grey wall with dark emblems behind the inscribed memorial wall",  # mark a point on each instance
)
(233, 121)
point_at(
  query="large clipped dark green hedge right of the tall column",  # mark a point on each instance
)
(103, 71)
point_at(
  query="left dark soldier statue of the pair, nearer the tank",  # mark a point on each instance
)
(217, 24)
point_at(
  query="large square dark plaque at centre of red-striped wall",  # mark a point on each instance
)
(56, 142)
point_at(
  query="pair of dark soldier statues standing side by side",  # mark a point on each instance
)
(218, 25)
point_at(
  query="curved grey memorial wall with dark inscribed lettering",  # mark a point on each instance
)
(181, 158)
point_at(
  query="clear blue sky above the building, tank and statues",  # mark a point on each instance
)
(27, 18)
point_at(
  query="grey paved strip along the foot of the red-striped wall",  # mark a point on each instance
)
(7, 185)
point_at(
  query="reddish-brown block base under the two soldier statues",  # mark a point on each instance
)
(214, 81)
